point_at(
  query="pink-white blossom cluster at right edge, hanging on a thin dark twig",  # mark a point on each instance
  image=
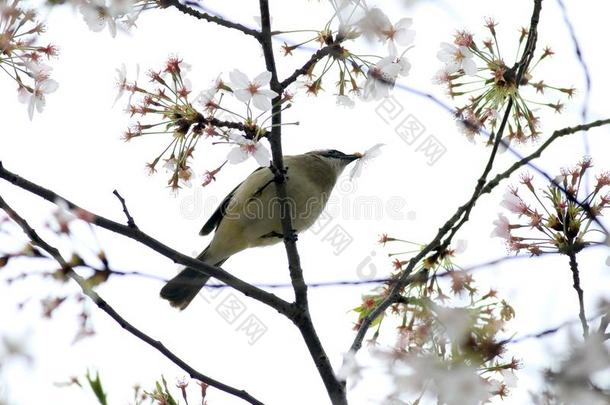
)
(552, 221)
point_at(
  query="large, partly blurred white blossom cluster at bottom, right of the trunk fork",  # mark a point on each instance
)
(447, 330)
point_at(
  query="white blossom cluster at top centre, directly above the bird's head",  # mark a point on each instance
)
(358, 73)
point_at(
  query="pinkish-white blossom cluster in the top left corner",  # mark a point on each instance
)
(21, 56)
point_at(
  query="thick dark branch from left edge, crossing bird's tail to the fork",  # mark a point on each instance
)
(136, 234)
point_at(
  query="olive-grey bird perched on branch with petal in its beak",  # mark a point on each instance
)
(249, 216)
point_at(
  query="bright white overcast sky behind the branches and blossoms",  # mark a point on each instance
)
(74, 148)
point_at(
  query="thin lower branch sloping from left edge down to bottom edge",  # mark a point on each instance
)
(104, 306)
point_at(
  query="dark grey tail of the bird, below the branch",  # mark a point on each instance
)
(181, 290)
